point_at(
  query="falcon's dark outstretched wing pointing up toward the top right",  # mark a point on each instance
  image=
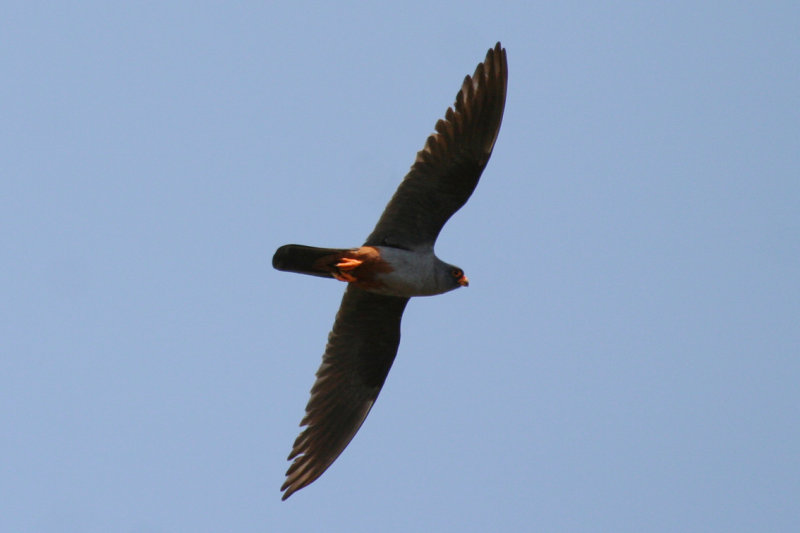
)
(447, 169)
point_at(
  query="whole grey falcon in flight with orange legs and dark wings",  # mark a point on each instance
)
(395, 263)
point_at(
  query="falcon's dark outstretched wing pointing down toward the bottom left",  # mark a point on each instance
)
(361, 348)
